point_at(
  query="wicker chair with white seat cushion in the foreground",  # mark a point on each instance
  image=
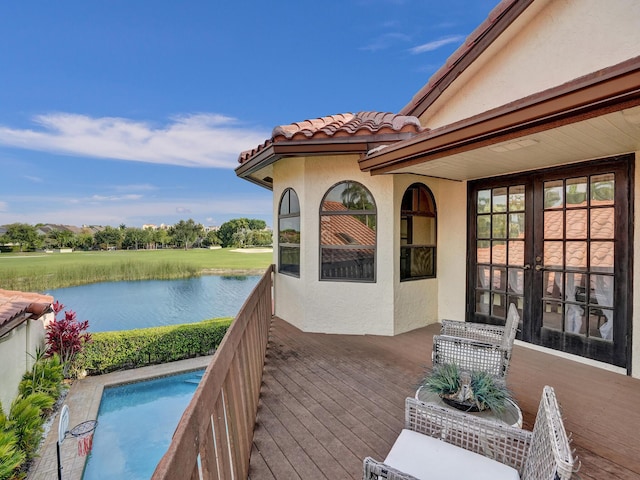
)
(442, 443)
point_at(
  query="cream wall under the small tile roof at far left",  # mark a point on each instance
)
(17, 350)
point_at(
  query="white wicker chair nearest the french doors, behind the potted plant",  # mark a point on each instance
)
(476, 346)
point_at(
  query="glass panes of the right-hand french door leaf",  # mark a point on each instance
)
(569, 215)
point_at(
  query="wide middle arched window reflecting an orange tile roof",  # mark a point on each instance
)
(348, 234)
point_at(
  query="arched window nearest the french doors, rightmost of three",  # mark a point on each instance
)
(417, 233)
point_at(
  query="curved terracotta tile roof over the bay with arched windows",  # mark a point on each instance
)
(338, 128)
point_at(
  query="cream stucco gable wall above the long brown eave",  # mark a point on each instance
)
(551, 43)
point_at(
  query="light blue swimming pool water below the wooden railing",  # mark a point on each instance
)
(135, 424)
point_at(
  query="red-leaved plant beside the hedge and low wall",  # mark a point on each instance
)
(66, 336)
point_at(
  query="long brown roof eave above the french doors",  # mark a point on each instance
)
(610, 89)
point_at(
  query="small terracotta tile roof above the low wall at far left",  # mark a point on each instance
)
(15, 307)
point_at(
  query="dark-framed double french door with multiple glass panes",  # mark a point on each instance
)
(558, 244)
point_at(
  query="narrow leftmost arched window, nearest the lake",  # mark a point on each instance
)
(289, 233)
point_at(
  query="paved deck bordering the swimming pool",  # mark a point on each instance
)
(83, 400)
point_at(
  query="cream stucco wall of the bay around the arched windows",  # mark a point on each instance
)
(388, 306)
